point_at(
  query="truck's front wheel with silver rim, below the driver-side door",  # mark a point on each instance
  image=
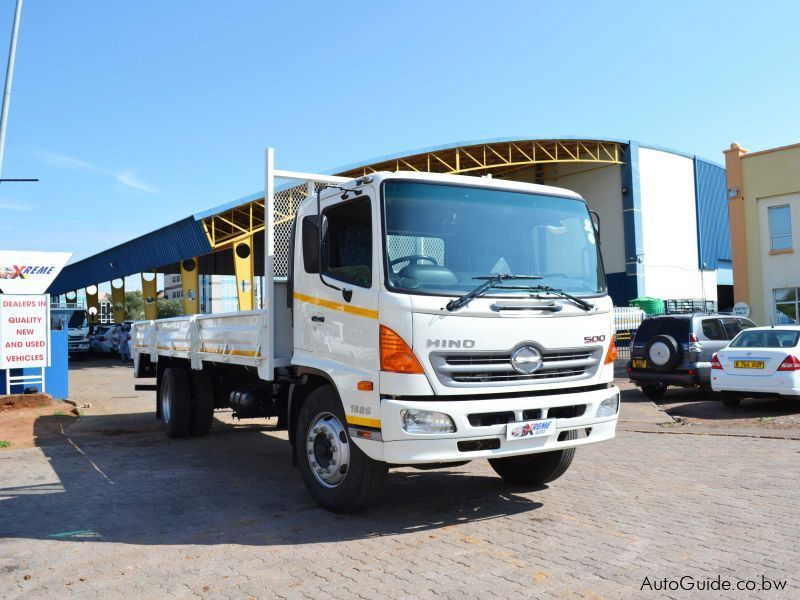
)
(337, 474)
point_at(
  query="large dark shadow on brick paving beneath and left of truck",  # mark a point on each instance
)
(231, 487)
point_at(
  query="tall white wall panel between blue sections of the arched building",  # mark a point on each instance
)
(669, 228)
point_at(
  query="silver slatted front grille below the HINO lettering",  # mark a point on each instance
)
(466, 369)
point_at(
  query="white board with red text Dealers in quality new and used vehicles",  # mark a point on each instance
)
(24, 331)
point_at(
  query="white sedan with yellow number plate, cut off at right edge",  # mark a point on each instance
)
(760, 362)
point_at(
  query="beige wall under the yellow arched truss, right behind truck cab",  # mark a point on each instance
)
(602, 190)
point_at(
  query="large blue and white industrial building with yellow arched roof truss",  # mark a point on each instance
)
(663, 218)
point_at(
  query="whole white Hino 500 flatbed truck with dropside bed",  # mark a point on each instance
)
(424, 320)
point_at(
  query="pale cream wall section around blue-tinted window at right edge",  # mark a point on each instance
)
(778, 270)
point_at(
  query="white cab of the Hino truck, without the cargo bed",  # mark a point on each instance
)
(445, 382)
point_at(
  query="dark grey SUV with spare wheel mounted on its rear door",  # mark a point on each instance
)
(677, 350)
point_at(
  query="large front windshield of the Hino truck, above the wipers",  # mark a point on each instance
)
(440, 238)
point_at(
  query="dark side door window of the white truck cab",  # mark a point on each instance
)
(347, 242)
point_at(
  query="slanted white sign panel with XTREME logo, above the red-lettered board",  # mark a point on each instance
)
(25, 272)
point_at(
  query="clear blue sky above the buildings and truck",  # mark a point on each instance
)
(136, 114)
